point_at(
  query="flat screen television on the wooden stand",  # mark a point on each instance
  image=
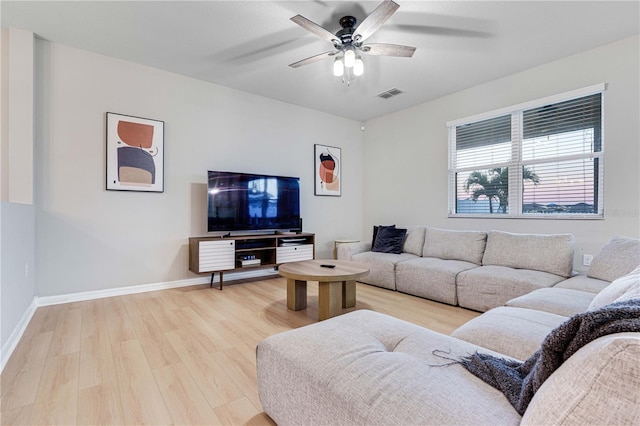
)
(252, 202)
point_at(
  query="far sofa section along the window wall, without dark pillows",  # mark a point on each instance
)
(474, 269)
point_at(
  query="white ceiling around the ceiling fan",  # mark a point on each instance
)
(248, 45)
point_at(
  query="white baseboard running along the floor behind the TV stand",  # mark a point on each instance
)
(143, 288)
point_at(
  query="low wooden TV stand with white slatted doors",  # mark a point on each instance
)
(242, 252)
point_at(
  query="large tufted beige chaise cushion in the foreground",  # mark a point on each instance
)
(366, 368)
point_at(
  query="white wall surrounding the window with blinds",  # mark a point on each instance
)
(406, 155)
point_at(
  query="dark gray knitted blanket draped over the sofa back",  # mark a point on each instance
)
(519, 381)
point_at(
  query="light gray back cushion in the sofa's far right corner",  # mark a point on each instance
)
(618, 257)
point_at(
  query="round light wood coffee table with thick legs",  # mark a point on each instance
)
(336, 286)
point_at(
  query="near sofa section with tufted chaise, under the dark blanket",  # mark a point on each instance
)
(366, 368)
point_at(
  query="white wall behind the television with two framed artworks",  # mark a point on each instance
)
(92, 239)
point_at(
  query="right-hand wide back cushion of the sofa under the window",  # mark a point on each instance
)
(547, 253)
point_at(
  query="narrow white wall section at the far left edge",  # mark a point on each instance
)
(17, 213)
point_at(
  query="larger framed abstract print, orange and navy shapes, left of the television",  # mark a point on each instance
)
(135, 153)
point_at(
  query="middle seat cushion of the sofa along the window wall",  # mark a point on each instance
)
(430, 278)
